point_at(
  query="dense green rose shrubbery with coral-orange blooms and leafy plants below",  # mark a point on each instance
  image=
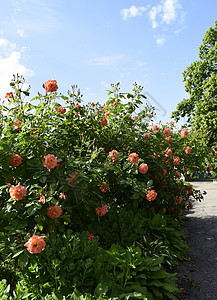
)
(91, 197)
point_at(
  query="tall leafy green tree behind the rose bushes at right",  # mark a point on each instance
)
(201, 83)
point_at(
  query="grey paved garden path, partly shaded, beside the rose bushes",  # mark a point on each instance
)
(198, 278)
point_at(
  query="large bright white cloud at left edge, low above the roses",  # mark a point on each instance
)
(10, 64)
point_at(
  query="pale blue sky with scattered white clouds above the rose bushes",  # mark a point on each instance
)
(98, 42)
